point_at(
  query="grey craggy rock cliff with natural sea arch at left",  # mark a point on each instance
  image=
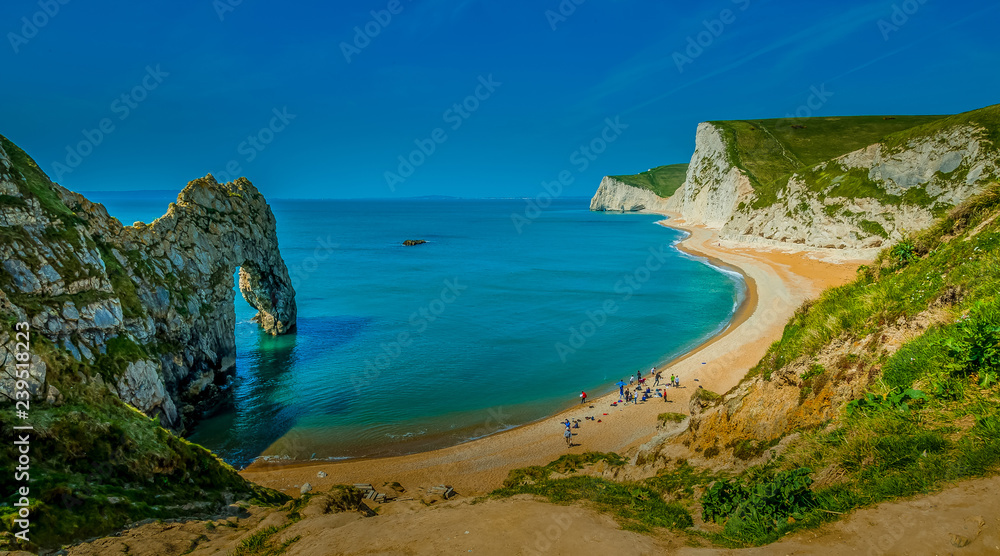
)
(148, 307)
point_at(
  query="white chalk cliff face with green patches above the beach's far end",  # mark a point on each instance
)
(860, 200)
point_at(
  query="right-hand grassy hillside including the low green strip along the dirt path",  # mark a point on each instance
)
(883, 448)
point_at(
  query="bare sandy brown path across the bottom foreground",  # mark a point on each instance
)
(963, 519)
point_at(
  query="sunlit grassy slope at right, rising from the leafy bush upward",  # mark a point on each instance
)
(947, 375)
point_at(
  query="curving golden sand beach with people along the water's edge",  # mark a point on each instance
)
(777, 283)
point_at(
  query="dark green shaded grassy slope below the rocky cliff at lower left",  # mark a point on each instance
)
(94, 447)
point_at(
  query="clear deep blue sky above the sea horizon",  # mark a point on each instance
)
(180, 88)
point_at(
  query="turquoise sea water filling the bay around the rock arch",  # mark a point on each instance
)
(400, 349)
